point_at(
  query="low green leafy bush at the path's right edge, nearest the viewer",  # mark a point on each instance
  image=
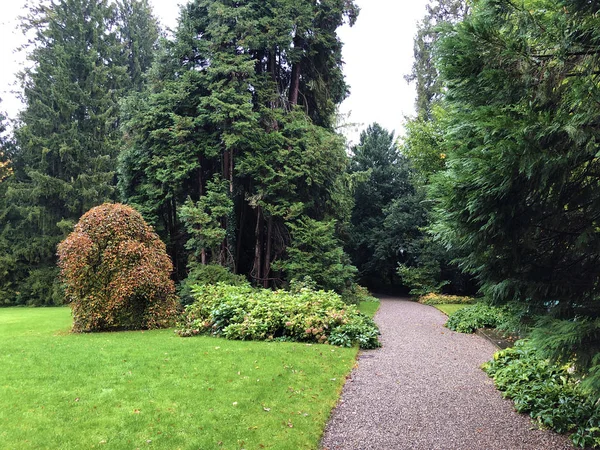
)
(548, 392)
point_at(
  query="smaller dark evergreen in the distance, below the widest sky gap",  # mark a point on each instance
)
(380, 233)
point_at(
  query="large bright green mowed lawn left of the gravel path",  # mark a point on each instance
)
(154, 389)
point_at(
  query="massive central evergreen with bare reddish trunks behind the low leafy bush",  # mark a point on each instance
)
(246, 91)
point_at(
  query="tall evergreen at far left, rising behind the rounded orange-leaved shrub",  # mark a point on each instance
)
(83, 58)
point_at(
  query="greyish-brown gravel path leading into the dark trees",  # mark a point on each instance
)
(424, 390)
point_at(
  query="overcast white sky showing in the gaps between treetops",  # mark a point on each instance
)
(377, 55)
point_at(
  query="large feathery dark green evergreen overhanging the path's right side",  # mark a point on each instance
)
(521, 196)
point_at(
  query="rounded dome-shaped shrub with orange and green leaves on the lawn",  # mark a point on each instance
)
(116, 272)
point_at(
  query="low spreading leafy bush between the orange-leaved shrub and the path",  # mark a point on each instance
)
(242, 312)
